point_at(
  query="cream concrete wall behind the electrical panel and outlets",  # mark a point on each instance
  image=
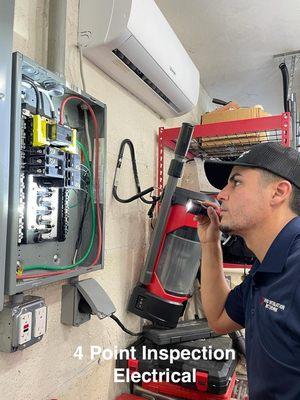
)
(48, 370)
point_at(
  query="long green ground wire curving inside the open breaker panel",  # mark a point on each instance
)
(93, 227)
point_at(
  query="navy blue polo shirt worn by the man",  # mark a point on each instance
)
(267, 304)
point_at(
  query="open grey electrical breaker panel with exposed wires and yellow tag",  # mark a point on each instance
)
(56, 179)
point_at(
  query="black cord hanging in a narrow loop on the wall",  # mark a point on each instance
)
(140, 193)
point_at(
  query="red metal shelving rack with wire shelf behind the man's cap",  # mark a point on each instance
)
(239, 136)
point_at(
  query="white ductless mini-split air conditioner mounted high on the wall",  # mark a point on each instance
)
(133, 43)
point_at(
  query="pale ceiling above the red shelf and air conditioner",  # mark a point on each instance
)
(233, 44)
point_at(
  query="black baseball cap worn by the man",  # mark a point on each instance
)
(270, 156)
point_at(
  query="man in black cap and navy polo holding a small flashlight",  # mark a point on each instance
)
(260, 201)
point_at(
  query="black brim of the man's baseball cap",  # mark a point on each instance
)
(217, 172)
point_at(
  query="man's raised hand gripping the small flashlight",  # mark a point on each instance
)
(209, 227)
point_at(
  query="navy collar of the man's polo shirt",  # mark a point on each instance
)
(277, 254)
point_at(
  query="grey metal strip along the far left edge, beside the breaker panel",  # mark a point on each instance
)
(6, 42)
